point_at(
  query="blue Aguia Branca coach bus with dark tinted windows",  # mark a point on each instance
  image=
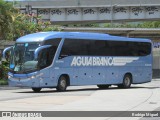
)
(62, 59)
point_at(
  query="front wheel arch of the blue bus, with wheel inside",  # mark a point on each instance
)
(63, 82)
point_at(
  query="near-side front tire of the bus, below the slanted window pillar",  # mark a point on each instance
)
(62, 84)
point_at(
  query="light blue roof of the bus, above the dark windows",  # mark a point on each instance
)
(42, 36)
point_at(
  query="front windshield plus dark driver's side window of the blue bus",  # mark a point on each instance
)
(22, 56)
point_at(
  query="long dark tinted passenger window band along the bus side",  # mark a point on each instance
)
(104, 48)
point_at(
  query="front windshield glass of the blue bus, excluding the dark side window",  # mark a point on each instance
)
(22, 58)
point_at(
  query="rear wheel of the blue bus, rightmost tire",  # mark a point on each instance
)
(127, 81)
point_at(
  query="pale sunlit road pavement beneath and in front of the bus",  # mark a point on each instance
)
(141, 97)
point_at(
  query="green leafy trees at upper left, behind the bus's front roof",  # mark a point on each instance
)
(13, 24)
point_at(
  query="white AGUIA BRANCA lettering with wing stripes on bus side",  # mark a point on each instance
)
(102, 61)
